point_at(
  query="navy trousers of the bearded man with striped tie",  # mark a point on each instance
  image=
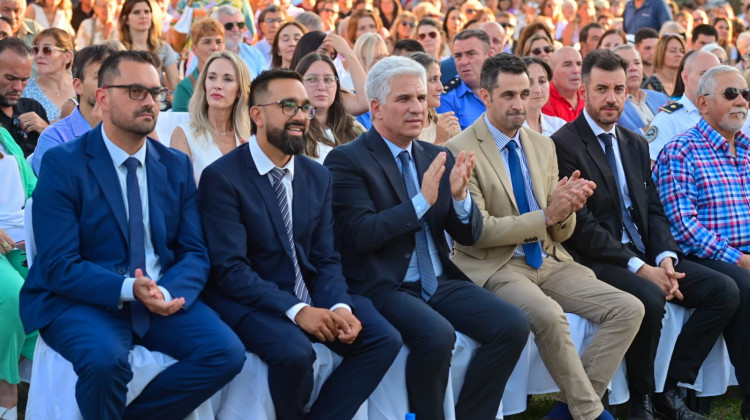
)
(289, 354)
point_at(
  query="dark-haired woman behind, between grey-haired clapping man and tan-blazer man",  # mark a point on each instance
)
(438, 128)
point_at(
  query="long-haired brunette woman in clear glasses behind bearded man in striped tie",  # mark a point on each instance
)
(331, 126)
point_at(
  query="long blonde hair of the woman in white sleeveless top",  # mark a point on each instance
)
(199, 123)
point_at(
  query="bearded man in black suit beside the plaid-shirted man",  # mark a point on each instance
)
(623, 236)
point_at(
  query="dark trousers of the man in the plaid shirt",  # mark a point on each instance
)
(737, 333)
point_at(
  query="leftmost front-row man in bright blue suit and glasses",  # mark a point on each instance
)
(122, 260)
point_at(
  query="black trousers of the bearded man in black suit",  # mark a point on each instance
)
(713, 295)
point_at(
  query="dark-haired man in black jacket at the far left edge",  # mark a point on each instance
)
(24, 118)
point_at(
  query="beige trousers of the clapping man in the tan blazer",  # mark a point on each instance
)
(545, 295)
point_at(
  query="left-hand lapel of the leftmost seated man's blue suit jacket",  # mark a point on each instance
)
(105, 174)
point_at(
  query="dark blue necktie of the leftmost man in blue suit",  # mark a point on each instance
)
(139, 317)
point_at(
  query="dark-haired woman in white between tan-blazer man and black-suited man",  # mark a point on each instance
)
(540, 74)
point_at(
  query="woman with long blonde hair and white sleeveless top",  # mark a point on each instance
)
(219, 115)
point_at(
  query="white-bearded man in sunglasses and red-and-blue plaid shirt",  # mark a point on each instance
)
(702, 177)
